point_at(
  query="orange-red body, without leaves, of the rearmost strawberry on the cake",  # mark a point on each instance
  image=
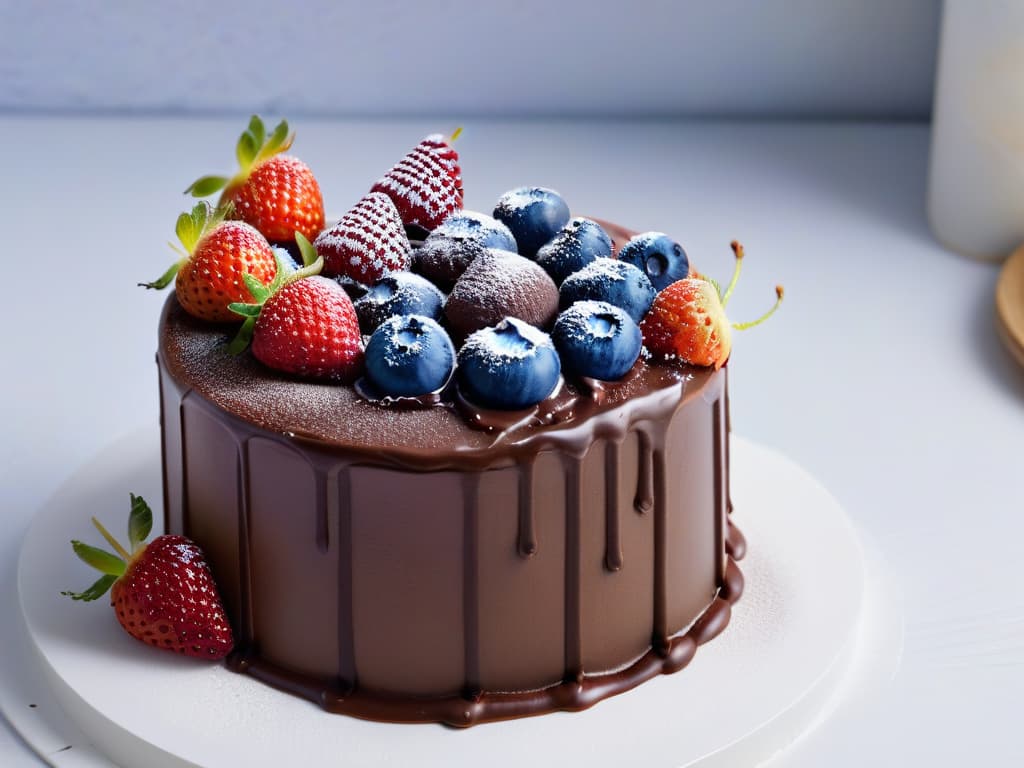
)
(280, 198)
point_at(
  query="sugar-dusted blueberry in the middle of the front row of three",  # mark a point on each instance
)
(510, 367)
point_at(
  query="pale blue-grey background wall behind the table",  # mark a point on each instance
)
(776, 58)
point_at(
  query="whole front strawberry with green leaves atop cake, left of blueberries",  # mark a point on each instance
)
(303, 324)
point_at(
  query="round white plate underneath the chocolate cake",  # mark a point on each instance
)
(779, 669)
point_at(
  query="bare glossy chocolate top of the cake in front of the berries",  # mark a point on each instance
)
(339, 418)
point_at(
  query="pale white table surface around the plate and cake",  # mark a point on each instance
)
(881, 375)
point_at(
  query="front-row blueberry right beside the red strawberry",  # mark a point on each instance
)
(409, 356)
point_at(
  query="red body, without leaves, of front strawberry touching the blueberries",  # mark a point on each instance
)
(310, 328)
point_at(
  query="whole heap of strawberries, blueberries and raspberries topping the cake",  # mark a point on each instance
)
(494, 310)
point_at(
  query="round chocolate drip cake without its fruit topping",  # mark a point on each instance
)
(446, 563)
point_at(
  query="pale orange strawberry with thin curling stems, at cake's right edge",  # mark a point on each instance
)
(688, 321)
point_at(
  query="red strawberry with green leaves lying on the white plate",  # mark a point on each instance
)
(163, 592)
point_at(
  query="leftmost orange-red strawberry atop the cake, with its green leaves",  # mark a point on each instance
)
(218, 255)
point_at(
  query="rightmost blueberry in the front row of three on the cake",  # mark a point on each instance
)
(598, 339)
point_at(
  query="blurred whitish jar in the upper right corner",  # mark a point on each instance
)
(976, 180)
